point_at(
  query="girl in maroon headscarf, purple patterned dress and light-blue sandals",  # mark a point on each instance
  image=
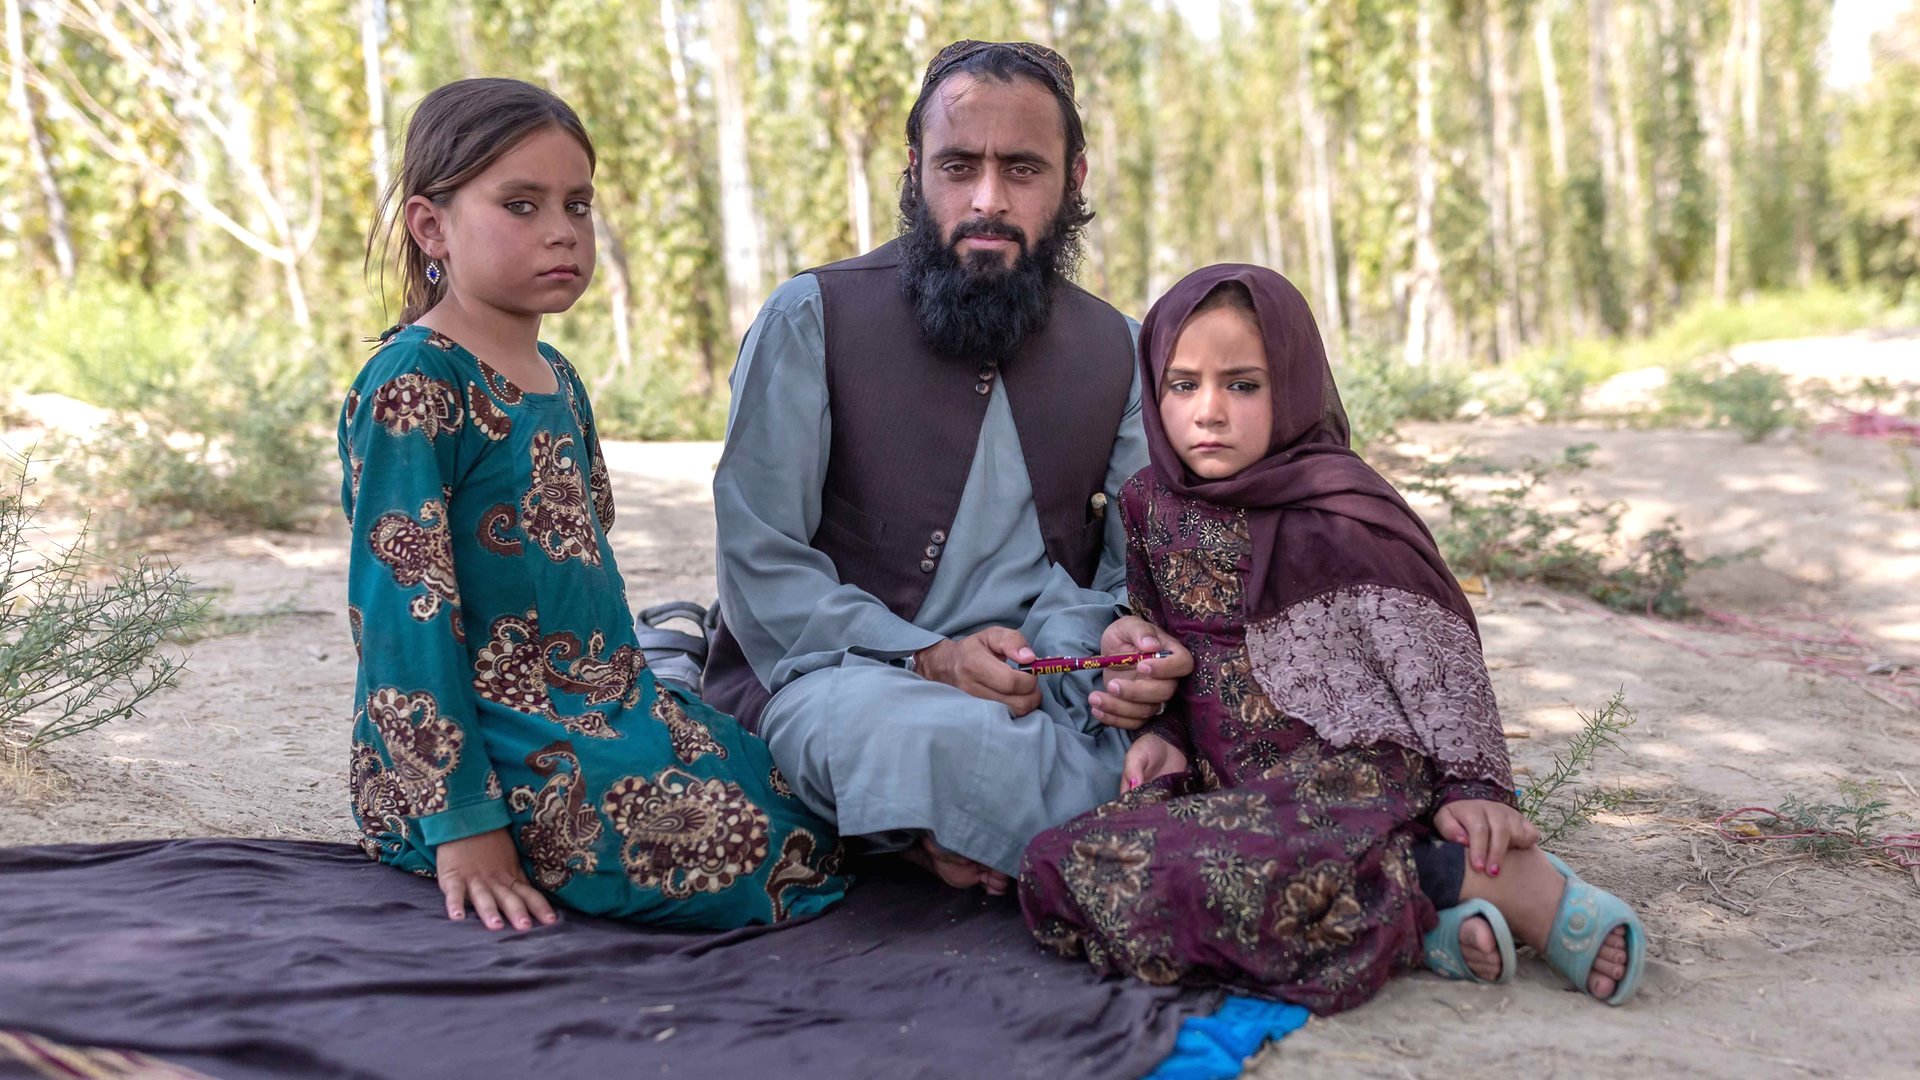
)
(1330, 797)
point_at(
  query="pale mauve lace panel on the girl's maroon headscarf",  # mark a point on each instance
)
(1372, 664)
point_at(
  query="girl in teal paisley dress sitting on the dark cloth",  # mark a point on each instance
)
(508, 735)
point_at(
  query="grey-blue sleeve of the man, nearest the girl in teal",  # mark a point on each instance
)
(782, 599)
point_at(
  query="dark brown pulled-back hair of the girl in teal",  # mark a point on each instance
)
(454, 135)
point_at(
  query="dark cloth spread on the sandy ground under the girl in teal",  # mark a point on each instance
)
(270, 958)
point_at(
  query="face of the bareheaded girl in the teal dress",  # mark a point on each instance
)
(517, 237)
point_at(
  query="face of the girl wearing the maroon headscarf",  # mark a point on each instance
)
(1214, 397)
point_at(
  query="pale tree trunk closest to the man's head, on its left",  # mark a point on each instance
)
(738, 226)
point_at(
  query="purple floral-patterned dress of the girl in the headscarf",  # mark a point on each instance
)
(1280, 864)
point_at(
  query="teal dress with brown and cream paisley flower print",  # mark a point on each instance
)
(491, 506)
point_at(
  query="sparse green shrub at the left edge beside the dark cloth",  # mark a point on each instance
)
(82, 641)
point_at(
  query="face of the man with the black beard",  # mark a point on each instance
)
(994, 170)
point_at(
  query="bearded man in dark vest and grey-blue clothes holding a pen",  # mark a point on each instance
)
(923, 449)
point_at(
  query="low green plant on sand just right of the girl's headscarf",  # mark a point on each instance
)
(1508, 529)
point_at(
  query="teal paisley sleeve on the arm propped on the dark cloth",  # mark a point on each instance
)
(402, 445)
